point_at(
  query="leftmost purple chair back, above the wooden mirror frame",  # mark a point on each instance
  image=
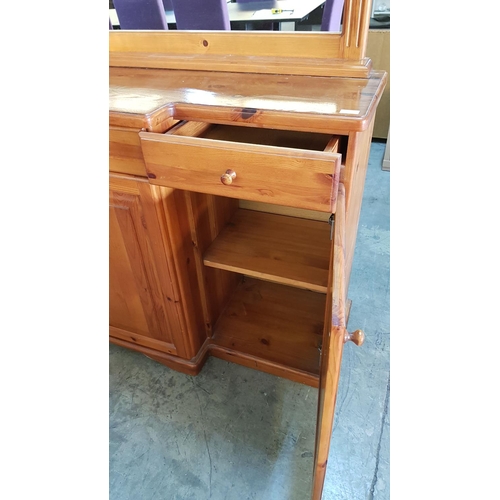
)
(141, 14)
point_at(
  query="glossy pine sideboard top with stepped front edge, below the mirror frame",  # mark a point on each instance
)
(150, 98)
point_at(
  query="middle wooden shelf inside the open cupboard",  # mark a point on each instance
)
(276, 248)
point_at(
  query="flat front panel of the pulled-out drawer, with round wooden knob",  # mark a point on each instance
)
(278, 175)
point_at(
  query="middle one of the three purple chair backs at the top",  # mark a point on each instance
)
(201, 14)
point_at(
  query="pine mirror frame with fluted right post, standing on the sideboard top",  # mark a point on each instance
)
(284, 52)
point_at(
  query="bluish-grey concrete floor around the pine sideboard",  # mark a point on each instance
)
(233, 433)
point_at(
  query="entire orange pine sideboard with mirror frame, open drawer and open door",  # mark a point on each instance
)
(235, 238)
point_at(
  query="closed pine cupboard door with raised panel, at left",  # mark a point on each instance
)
(142, 305)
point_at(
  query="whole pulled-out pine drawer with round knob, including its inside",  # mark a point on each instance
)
(296, 169)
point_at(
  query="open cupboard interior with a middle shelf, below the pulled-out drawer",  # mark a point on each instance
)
(272, 271)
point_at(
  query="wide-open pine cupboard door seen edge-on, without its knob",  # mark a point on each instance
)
(334, 335)
